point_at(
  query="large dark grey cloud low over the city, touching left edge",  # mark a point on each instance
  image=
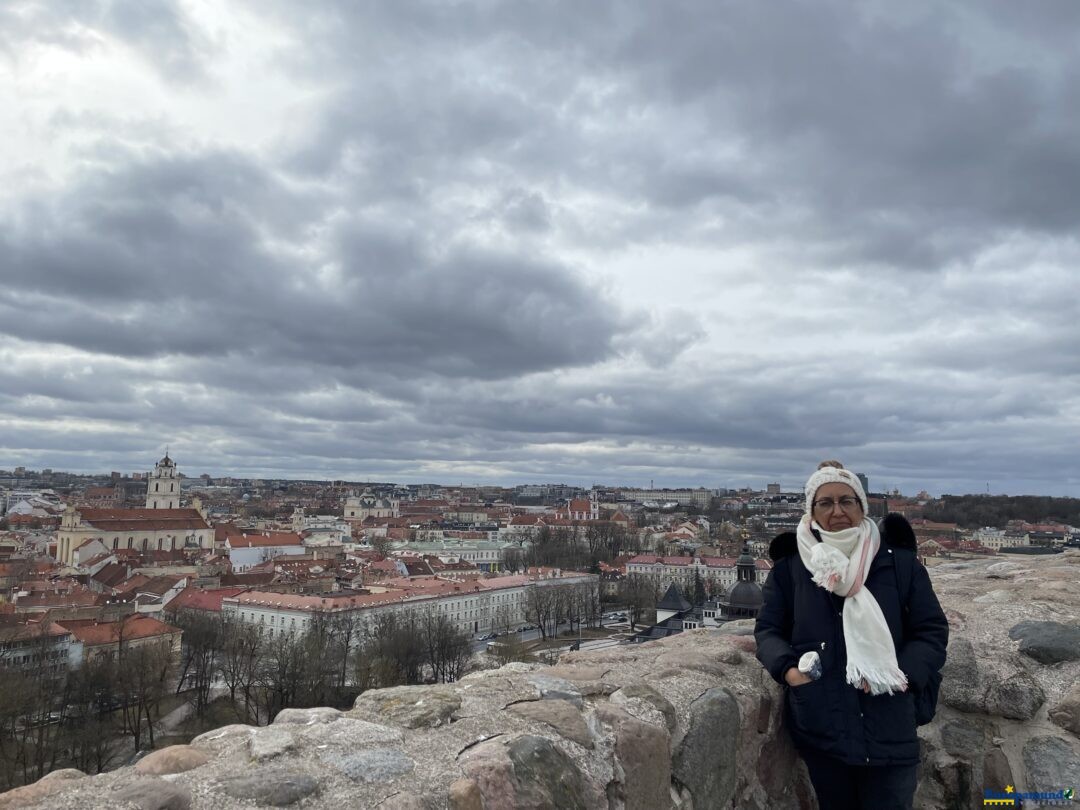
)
(184, 256)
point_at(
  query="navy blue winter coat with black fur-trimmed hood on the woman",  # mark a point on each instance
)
(829, 715)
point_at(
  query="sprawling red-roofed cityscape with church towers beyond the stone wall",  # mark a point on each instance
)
(140, 611)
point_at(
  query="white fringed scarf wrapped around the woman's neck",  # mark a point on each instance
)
(840, 564)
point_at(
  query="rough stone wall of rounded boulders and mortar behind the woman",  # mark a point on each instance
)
(691, 722)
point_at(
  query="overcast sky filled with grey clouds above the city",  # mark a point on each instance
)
(698, 244)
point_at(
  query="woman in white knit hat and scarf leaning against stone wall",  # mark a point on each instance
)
(835, 590)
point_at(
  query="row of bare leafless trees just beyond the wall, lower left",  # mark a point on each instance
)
(99, 714)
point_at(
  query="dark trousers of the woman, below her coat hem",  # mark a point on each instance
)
(842, 787)
